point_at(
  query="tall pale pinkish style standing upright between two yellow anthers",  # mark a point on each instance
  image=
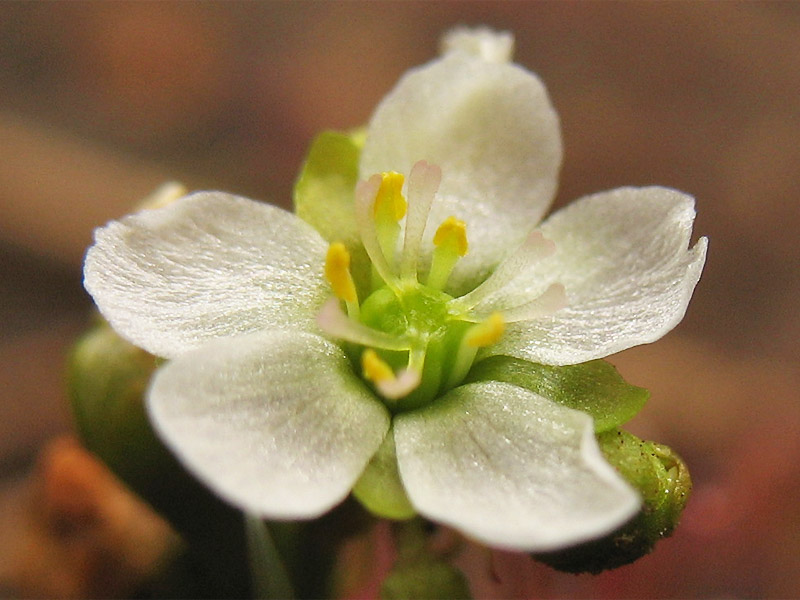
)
(423, 183)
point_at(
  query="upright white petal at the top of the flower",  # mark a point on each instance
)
(492, 130)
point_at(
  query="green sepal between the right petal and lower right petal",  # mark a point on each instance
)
(594, 387)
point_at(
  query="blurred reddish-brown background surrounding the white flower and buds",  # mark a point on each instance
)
(102, 102)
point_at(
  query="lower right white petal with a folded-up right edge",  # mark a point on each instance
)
(510, 468)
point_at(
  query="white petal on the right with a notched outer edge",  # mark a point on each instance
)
(624, 261)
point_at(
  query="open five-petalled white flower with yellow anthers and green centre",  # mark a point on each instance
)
(262, 402)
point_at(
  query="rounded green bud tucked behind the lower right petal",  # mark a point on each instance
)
(664, 483)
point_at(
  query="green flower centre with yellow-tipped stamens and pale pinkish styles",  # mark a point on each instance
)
(413, 340)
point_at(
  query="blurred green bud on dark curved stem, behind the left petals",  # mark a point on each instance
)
(107, 378)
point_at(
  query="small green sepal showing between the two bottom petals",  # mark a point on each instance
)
(380, 489)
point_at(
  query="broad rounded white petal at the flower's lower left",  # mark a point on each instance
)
(276, 423)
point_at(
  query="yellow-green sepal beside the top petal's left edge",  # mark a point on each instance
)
(324, 195)
